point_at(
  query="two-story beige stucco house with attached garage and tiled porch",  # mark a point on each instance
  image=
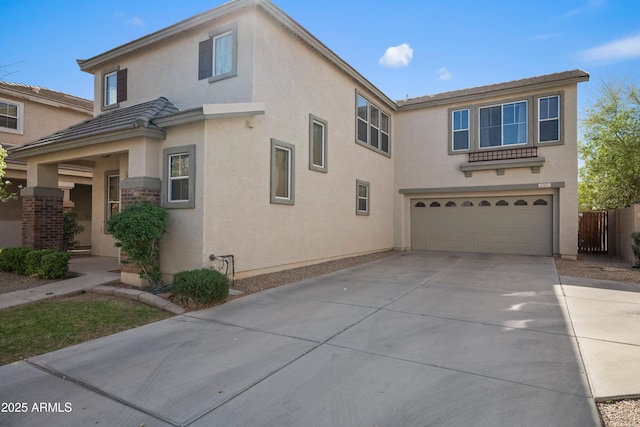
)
(264, 144)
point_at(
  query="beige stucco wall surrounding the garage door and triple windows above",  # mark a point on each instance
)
(422, 161)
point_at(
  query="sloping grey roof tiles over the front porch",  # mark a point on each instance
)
(135, 116)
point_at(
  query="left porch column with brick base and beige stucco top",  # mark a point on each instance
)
(42, 212)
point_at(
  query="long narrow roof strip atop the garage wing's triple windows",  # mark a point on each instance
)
(463, 95)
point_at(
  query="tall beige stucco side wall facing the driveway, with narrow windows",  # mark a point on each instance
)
(239, 218)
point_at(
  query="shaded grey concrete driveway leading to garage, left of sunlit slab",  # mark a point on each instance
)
(417, 339)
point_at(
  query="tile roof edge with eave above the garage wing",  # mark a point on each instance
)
(483, 90)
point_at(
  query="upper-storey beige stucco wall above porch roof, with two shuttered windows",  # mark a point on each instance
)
(170, 69)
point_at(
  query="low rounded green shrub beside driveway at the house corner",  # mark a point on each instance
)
(201, 285)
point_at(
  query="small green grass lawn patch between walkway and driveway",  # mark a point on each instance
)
(41, 327)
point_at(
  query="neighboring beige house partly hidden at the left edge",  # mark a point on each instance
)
(28, 113)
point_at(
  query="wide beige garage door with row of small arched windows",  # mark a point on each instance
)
(501, 225)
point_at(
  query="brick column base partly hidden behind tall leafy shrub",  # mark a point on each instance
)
(134, 191)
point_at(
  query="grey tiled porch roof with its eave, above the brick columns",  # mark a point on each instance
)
(136, 120)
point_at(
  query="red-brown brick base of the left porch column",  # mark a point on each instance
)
(42, 218)
